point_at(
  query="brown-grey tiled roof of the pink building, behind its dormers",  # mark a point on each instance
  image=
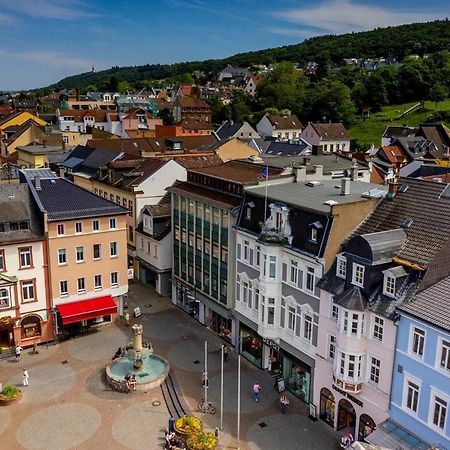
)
(423, 203)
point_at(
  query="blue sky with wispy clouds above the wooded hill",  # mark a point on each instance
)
(42, 41)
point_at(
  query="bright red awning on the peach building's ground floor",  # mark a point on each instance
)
(87, 309)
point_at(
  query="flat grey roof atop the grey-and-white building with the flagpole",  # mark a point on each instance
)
(312, 197)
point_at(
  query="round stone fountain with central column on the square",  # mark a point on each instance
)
(138, 359)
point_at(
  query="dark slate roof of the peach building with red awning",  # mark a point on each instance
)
(63, 200)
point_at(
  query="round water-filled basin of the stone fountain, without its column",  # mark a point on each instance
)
(152, 374)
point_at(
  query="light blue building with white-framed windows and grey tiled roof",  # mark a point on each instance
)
(420, 399)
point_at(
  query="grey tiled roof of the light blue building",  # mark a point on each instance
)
(432, 304)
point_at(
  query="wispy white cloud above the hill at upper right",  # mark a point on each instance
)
(343, 16)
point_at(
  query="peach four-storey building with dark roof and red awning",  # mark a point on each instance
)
(87, 252)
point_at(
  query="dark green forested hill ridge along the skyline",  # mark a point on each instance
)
(399, 41)
